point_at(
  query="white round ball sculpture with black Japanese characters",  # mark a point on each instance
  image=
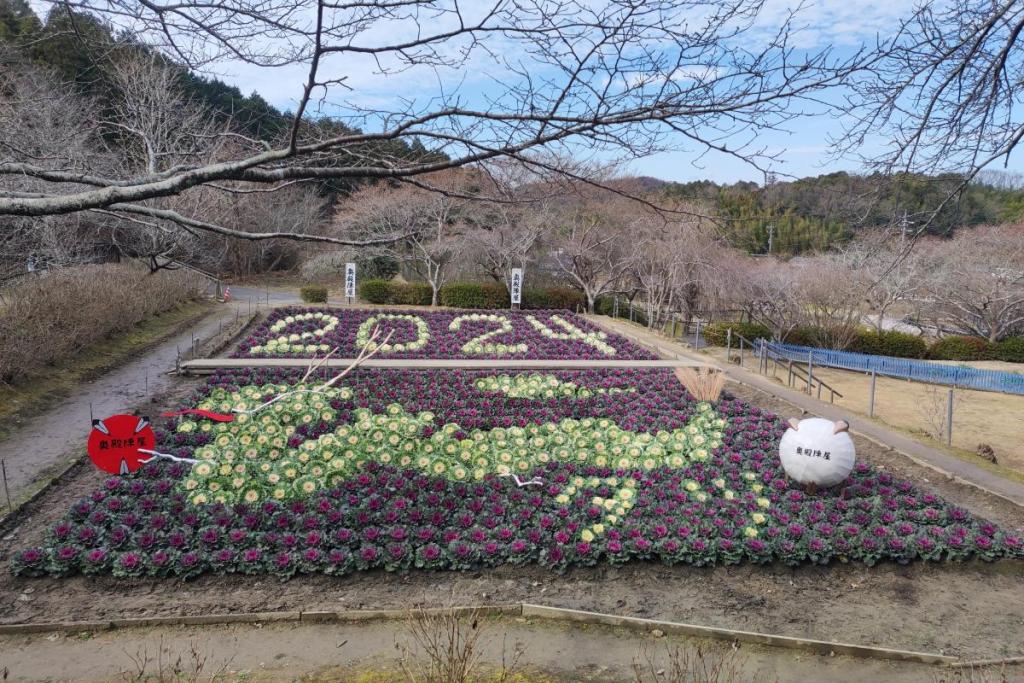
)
(818, 453)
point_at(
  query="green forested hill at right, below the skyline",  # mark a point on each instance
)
(815, 214)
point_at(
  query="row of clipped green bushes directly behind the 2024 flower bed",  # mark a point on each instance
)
(468, 295)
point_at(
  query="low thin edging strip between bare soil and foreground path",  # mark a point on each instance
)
(822, 648)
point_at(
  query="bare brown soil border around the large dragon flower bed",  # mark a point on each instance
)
(973, 611)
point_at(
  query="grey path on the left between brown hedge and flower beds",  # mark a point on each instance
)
(52, 440)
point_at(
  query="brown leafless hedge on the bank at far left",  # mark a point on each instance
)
(48, 319)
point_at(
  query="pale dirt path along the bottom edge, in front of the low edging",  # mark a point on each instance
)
(337, 653)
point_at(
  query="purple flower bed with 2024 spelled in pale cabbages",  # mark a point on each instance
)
(553, 334)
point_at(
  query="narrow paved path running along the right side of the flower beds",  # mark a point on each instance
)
(925, 455)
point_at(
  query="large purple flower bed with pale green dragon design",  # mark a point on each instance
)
(690, 484)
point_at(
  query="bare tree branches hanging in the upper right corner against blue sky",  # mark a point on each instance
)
(944, 93)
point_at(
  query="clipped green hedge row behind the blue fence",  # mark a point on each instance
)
(889, 343)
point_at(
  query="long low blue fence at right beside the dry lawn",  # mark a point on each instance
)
(922, 371)
